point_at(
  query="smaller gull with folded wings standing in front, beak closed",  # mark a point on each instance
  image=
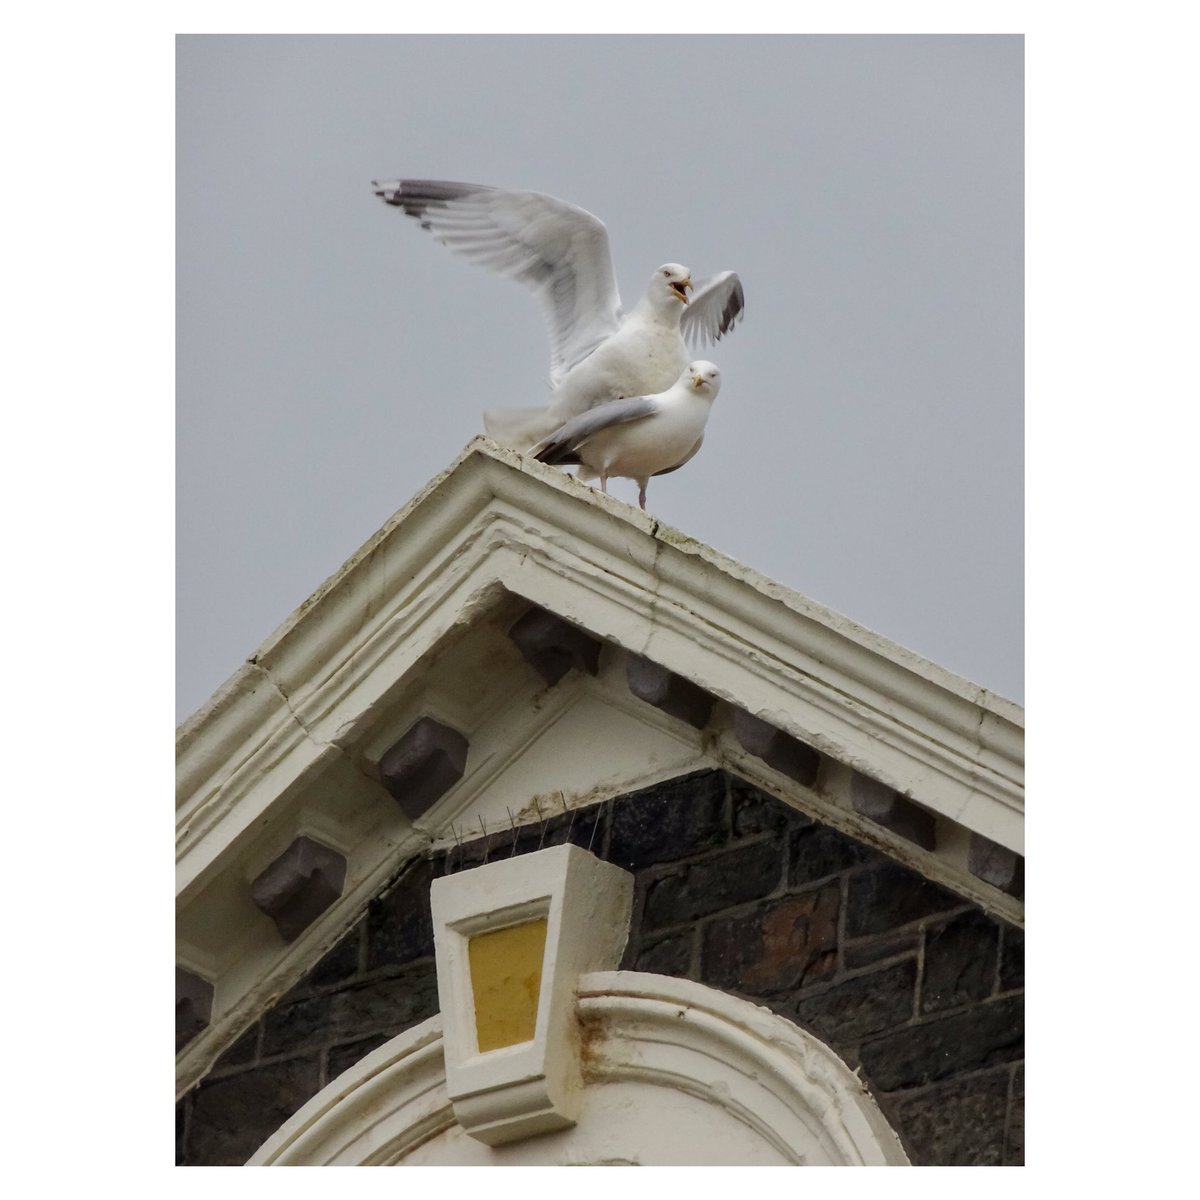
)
(639, 437)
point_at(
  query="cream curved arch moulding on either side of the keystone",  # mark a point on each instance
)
(790, 1093)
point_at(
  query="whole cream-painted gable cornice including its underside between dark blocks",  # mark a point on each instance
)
(415, 625)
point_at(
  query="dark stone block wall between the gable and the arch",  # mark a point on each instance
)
(920, 989)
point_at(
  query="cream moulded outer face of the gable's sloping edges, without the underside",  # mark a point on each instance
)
(496, 520)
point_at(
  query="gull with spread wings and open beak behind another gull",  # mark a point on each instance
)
(597, 352)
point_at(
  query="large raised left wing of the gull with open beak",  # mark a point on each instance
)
(557, 250)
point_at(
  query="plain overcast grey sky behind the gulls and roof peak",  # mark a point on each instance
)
(867, 446)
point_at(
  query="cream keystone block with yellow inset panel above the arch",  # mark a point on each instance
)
(513, 939)
